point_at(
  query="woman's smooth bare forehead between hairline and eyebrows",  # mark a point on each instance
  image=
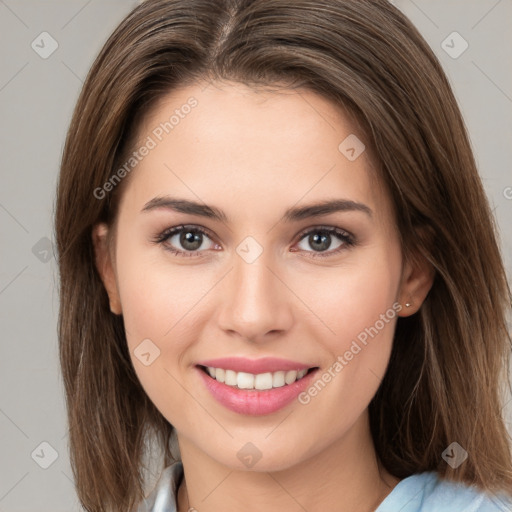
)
(254, 146)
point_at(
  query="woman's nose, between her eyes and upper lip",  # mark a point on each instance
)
(256, 302)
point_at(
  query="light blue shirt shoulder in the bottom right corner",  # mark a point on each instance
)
(426, 492)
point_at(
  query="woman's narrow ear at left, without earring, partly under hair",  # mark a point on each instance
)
(105, 265)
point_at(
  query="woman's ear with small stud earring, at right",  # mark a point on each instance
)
(417, 279)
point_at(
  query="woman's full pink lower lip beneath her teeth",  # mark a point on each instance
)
(254, 402)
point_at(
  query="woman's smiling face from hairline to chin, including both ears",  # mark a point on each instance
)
(244, 267)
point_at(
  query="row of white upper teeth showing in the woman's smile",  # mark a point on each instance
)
(260, 381)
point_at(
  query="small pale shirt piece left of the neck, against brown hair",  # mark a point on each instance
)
(163, 497)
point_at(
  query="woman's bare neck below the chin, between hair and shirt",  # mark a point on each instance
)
(343, 476)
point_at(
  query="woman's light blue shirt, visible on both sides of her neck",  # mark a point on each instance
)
(422, 492)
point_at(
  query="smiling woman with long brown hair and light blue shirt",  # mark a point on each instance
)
(279, 264)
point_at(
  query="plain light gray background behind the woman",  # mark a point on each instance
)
(36, 100)
